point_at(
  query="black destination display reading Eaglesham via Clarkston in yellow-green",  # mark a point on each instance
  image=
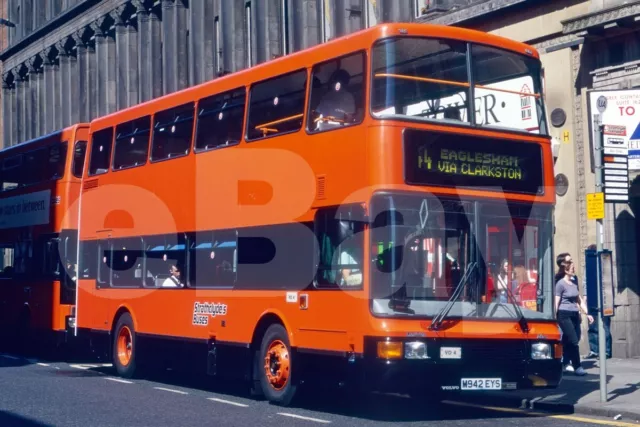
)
(442, 159)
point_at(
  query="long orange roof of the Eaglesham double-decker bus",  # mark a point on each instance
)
(304, 58)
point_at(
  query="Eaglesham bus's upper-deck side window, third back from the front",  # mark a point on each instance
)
(220, 119)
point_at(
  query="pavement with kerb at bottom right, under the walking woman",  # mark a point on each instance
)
(581, 395)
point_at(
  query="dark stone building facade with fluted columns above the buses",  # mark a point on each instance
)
(73, 60)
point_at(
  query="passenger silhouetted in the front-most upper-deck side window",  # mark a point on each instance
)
(337, 106)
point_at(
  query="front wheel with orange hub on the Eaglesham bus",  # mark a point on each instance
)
(276, 367)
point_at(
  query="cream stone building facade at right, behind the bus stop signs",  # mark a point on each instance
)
(584, 45)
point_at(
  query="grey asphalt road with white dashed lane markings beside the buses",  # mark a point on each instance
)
(41, 393)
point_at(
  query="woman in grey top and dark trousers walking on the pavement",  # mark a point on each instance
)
(568, 306)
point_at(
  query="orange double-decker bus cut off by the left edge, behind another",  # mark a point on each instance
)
(39, 194)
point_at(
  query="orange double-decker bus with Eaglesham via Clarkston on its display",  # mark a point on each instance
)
(377, 209)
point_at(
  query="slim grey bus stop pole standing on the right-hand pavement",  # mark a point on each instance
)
(602, 353)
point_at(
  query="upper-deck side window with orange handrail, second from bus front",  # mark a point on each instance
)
(277, 106)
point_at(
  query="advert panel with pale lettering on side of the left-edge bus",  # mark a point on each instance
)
(25, 210)
